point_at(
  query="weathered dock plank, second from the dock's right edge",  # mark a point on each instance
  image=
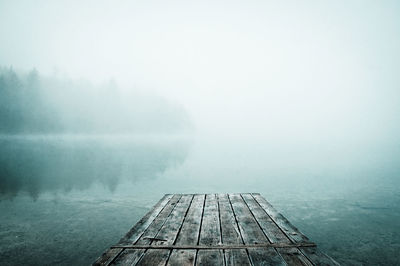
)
(275, 235)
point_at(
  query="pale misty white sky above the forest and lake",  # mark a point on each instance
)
(287, 69)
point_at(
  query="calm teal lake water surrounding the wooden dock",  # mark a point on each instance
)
(66, 199)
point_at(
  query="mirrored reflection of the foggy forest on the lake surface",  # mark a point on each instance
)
(35, 166)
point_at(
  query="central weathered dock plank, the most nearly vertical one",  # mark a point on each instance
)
(210, 233)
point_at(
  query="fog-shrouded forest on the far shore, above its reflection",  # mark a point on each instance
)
(33, 104)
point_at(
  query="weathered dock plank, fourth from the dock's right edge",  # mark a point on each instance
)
(230, 233)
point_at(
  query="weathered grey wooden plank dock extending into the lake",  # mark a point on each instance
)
(214, 229)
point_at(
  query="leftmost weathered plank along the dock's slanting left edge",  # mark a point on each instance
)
(136, 231)
